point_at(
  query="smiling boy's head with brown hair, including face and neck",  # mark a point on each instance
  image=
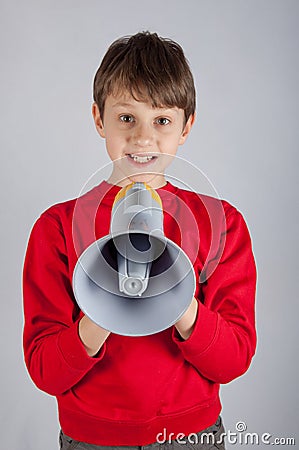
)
(144, 106)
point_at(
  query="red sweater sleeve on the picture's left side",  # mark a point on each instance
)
(54, 354)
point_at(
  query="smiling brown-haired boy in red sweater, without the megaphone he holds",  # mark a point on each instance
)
(115, 390)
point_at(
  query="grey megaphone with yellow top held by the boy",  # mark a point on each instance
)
(134, 281)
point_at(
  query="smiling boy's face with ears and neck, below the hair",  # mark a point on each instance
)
(140, 140)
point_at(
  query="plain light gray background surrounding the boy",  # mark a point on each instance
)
(244, 56)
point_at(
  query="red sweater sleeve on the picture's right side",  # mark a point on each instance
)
(223, 341)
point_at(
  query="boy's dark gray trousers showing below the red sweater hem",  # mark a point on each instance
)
(209, 439)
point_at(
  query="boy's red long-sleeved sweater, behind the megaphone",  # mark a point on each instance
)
(138, 386)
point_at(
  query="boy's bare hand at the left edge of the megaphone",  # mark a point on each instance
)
(92, 336)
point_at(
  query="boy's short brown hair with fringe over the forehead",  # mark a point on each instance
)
(148, 67)
